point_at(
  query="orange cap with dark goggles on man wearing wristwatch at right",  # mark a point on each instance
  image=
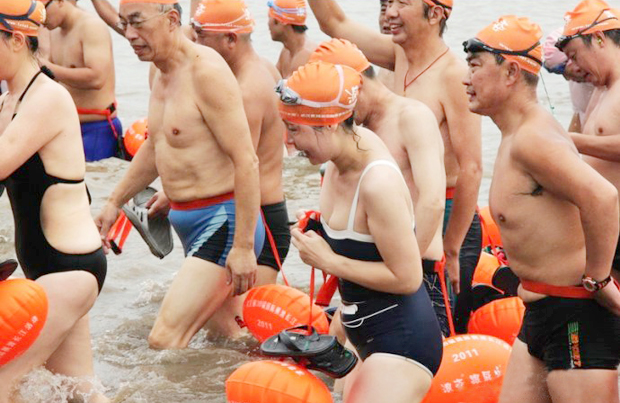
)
(515, 38)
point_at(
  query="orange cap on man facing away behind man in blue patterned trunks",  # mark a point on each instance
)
(224, 16)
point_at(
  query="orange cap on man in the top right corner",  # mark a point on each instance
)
(588, 17)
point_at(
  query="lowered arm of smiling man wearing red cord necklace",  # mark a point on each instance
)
(466, 139)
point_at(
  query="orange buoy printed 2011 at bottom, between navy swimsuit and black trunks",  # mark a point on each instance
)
(472, 370)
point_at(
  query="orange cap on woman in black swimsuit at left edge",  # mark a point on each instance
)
(25, 16)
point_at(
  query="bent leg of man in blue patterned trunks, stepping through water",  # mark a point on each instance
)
(198, 291)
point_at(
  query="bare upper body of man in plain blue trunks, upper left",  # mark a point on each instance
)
(86, 44)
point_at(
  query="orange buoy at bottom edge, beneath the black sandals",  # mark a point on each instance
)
(275, 382)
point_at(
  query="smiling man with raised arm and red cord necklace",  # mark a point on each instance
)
(432, 74)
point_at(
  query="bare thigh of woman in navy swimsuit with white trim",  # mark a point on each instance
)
(384, 378)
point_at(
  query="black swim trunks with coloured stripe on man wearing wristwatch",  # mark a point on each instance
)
(567, 333)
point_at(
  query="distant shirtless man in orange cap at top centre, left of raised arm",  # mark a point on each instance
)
(287, 19)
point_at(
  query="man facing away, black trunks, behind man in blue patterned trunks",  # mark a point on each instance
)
(257, 78)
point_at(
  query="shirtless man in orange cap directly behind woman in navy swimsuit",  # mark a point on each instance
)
(410, 131)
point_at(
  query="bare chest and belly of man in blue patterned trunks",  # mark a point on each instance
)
(188, 157)
